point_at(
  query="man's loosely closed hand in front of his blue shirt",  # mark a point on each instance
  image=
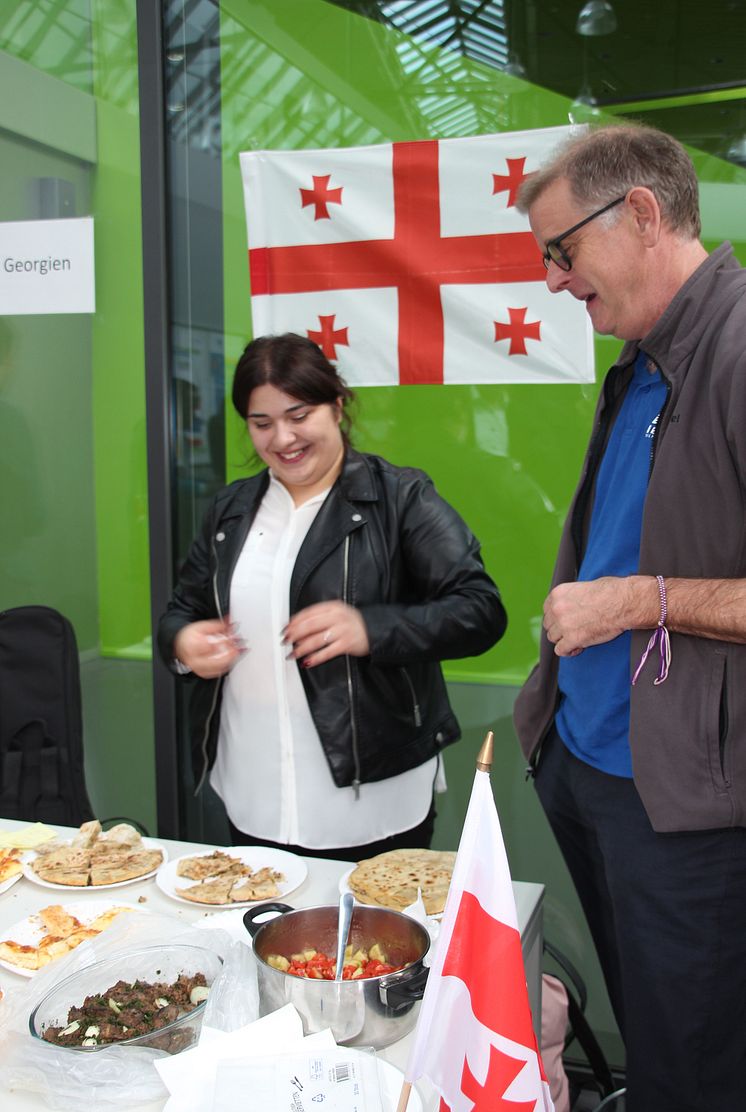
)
(578, 615)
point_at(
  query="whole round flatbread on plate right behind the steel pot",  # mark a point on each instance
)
(392, 880)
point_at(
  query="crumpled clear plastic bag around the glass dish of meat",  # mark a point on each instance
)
(116, 1077)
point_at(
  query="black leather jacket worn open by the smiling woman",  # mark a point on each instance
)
(386, 543)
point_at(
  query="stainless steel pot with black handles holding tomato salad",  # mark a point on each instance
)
(371, 1012)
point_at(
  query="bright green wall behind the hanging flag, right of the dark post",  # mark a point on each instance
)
(304, 74)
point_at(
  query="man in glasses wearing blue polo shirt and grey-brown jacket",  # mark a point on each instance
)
(634, 721)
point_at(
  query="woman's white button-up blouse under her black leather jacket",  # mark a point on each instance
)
(271, 770)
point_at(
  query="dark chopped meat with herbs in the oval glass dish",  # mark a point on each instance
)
(131, 1010)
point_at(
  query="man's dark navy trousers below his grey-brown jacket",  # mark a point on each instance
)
(668, 915)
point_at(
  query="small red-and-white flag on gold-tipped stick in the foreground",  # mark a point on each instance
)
(474, 1038)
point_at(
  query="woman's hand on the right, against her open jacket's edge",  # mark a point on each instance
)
(324, 631)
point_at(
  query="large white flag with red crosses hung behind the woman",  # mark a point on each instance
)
(409, 263)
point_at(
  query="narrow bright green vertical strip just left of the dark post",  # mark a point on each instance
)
(120, 418)
